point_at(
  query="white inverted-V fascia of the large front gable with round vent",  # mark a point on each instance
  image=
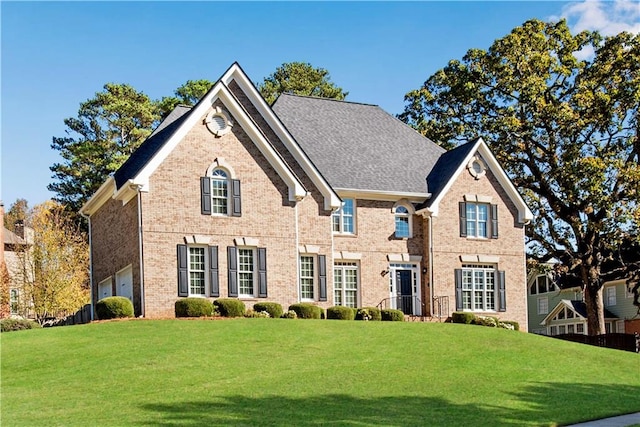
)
(219, 91)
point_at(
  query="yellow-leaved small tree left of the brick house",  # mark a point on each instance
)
(54, 268)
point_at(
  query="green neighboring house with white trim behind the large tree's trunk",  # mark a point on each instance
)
(554, 311)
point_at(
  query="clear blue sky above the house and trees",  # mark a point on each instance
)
(56, 55)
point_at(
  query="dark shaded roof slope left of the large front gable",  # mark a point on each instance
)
(151, 145)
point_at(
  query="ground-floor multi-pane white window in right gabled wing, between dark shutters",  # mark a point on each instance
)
(479, 287)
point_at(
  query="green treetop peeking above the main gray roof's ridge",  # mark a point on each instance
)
(299, 78)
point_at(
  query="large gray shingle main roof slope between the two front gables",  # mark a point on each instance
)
(359, 146)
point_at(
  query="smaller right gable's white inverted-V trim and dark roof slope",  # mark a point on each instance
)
(451, 165)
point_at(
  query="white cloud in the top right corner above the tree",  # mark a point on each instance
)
(606, 17)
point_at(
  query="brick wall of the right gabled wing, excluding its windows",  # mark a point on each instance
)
(448, 246)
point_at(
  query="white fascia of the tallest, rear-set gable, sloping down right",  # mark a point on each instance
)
(235, 73)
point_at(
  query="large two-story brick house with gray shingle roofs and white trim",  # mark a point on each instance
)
(318, 200)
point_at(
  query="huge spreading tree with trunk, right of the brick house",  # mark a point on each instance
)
(566, 130)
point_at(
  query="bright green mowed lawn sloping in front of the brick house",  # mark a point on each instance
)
(277, 372)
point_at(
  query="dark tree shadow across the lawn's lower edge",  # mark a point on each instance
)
(545, 404)
